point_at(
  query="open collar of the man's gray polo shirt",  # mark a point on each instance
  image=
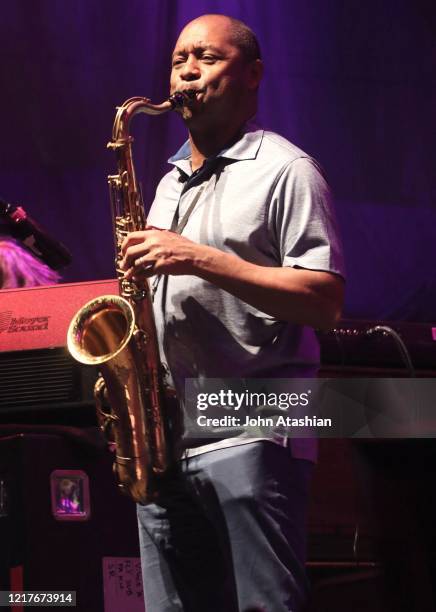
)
(245, 148)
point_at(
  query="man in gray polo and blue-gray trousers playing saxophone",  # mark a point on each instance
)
(243, 248)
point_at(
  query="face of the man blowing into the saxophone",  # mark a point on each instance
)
(207, 61)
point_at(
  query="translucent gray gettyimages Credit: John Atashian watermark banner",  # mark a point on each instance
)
(311, 407)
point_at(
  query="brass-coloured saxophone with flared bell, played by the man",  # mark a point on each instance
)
(117, 333)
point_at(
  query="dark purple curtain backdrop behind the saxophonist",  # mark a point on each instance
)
(351, 83)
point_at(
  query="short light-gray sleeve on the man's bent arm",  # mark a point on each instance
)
(303, 219)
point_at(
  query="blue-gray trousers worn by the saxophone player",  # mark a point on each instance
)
(228, 533)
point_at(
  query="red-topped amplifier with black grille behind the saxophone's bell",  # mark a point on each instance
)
(39, 380)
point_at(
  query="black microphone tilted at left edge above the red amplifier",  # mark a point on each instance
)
(35, 237)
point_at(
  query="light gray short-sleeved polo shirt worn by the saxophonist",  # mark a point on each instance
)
(268, 203)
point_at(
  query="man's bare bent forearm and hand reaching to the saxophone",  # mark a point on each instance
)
(305, 297)
